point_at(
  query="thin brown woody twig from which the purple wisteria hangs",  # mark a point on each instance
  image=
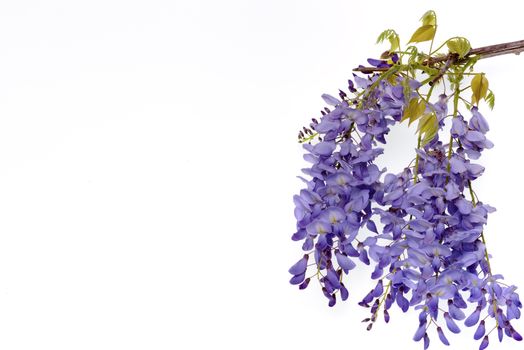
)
(514, 47)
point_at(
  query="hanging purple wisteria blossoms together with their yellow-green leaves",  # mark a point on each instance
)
(422, 229)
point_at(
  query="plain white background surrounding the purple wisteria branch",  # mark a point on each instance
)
(148, 158)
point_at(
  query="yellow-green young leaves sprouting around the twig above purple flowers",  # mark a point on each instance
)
(452, 67)
